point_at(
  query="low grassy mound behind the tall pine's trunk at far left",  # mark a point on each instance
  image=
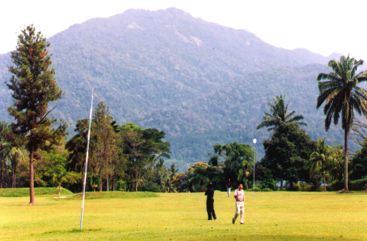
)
(23, 192)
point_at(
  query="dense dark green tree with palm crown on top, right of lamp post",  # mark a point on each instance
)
(289, 147)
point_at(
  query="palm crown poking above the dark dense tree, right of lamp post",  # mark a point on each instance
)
(279, 115)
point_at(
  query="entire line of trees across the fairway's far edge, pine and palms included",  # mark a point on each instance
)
(34, 149)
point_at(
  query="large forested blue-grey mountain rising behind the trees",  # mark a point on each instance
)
(200, 82)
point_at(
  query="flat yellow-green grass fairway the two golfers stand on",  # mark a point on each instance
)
(182, 216)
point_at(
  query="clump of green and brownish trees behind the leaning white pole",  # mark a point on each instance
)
(126, 157)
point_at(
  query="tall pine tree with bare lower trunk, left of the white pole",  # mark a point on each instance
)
(33, 86)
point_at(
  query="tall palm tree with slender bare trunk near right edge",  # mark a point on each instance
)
(341, 95)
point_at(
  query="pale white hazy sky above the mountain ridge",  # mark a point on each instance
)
(322, 26)
